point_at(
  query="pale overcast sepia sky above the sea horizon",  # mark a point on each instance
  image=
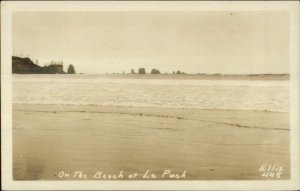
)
(193, 42)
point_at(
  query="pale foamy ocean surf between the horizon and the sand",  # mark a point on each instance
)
(154, 91)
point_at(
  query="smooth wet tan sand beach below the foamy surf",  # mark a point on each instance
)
(207, 144)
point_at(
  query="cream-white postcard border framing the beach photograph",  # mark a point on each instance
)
(7, 8)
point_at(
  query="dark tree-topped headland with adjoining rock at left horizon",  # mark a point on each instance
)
(26, 66)
